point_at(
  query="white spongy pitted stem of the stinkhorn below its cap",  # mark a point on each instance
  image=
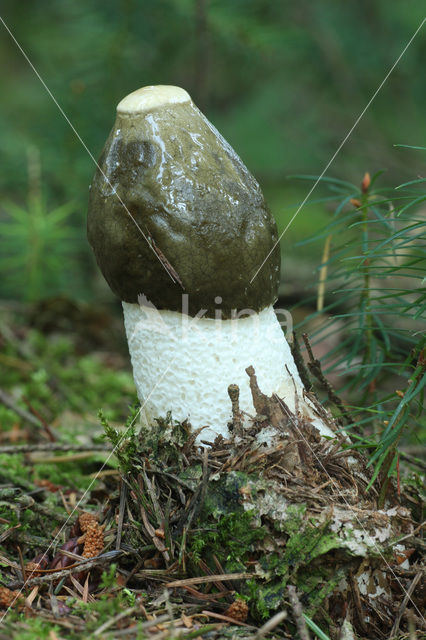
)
(186, 364)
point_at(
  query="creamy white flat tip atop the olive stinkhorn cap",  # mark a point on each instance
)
(151, 97)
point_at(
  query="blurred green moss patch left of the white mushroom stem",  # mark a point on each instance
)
(56, 377)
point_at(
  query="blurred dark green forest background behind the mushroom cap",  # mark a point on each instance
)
(283, 82)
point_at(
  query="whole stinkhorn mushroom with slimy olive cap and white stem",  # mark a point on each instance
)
(179, 227)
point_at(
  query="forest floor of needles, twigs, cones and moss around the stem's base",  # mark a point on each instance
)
(268, 533)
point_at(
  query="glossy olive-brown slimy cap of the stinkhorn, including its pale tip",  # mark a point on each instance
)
(167, 174)
